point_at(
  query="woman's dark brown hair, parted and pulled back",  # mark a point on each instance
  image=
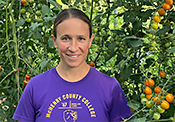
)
(71, 13)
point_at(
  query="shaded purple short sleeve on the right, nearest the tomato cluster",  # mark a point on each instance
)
(119, 108)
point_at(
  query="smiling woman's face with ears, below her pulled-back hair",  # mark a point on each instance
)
(73, 42)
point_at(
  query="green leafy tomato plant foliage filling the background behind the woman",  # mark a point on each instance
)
(125, 47)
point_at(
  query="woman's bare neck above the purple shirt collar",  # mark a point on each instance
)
(72, 74)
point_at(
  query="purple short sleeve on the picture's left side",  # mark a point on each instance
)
(25, 109)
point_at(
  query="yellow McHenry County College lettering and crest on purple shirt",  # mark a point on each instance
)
(65, 103)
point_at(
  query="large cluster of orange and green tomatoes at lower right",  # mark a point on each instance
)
(156, 99)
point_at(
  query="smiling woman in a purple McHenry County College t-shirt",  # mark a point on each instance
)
(72, 91)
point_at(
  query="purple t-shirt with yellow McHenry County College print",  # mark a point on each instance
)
(95, 98)
